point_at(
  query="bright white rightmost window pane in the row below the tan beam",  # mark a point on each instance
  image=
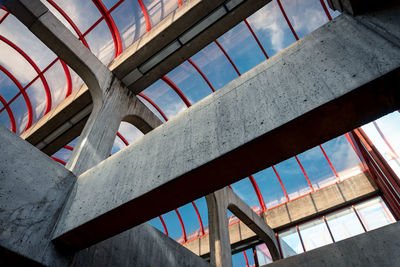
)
(374, 214)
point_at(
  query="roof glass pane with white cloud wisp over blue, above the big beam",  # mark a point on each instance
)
(271, 28)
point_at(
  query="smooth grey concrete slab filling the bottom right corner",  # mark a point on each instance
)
(380, 247)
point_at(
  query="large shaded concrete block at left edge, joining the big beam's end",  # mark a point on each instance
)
(33, 190)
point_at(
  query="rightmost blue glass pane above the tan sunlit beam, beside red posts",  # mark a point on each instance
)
(343, 157)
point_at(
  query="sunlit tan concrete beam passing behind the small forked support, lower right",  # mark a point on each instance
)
(338, 195)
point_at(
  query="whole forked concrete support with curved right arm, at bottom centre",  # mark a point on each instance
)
(220, 245)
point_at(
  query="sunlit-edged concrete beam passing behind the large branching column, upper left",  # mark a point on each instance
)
(170, 29)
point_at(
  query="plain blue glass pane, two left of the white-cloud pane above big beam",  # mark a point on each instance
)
(215, 65)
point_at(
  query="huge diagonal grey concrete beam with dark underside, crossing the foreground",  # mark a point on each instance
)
(341, 76)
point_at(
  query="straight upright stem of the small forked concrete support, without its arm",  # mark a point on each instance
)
(220, 245)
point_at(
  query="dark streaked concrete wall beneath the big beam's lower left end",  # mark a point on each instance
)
(140, 246)
